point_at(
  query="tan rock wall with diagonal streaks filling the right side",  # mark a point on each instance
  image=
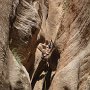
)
(73, 41)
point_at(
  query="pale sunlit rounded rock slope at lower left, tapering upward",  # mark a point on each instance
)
(18, 76)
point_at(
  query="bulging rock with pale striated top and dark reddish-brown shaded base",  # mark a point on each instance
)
(24, 30)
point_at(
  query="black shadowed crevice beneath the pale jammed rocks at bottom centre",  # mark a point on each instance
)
(47, 77)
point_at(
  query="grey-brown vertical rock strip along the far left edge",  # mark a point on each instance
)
(5, 8)
